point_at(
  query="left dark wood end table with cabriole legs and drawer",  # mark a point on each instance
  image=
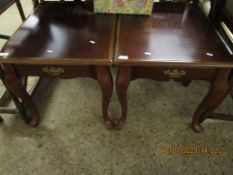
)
(61, 40)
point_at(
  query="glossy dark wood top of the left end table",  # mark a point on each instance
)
(63, 33)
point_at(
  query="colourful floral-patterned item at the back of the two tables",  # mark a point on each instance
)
(124, 6)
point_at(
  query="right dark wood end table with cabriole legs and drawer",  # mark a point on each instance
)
(178, 43)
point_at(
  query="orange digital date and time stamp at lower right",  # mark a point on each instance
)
(190, 150)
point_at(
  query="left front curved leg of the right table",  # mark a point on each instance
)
(122, 84)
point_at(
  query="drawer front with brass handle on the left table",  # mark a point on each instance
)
(54, 71)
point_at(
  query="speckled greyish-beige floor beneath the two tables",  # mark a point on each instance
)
(72, 140)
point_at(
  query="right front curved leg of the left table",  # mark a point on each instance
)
(106, 83)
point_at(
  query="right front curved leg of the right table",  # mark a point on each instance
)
(219, 89)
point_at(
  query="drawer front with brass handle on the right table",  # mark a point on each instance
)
(177, 74)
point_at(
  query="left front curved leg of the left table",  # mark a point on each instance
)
(16, 87)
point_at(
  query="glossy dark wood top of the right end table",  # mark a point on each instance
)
(174, 37)
